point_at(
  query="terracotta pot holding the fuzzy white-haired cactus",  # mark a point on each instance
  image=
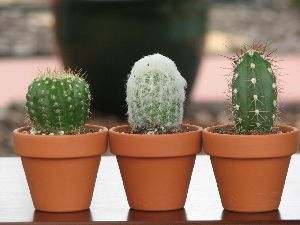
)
(156, 169)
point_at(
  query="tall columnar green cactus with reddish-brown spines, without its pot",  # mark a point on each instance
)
(254, 91)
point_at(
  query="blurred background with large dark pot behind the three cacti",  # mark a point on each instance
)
(105, 38)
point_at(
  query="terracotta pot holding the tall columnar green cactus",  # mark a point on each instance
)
(250, 170)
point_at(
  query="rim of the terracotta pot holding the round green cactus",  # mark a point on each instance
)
(60, 146)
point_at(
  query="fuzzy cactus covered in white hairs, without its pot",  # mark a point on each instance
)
(155, 96)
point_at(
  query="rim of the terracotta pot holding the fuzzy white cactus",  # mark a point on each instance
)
(155, 146)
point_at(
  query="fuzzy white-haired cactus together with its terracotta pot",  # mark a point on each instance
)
(156, 153)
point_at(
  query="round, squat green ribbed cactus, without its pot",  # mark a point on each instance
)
(58, 102)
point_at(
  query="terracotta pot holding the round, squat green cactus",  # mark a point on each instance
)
(61, 170)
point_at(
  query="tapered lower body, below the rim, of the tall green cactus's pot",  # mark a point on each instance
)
(249, 185)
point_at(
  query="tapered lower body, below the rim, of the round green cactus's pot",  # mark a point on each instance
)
(61, 185)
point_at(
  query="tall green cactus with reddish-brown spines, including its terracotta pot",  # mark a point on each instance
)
(251, 158)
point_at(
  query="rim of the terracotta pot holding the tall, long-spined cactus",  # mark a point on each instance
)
(250, 146)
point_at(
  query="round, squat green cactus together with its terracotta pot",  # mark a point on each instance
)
(60, 154)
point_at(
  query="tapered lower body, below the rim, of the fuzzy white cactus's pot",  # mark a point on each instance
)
(156, 184)
